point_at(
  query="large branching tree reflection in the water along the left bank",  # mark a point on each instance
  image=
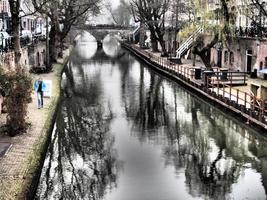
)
(81, 162)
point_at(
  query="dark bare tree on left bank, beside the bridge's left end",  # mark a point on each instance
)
(63, 14)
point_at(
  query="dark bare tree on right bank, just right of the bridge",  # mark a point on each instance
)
(152, 14)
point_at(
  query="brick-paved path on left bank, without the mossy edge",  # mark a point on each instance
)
(13, 166)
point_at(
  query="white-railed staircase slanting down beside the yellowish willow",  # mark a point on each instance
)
(187, 44)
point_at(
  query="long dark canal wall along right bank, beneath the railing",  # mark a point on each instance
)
(168, 70)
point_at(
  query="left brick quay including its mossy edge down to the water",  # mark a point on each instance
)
(21, 167)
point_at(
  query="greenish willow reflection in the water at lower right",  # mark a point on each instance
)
(212, 151)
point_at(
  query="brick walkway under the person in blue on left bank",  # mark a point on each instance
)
(15, 164)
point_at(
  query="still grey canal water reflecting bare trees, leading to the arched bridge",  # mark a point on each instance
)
(123, 132)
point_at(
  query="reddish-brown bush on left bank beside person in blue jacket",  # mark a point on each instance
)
(17, 85)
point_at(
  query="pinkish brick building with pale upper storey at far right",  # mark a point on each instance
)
(247, 50)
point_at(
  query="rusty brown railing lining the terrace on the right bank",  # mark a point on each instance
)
(216, 86)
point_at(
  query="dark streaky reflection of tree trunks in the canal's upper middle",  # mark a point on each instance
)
(146, 106)
